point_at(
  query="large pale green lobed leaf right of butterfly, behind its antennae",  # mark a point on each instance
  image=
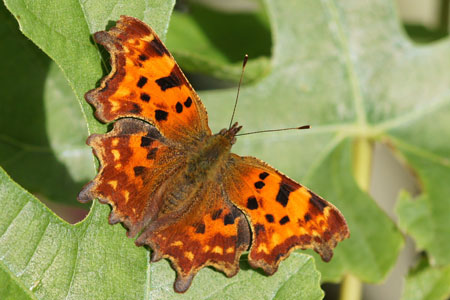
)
(347, 69)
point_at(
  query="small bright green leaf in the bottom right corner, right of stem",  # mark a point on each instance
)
(429, 283)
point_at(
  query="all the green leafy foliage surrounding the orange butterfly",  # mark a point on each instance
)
(345, 68)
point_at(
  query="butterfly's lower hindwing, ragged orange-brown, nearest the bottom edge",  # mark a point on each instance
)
(212, 233)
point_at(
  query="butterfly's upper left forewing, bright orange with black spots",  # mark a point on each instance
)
(145, 82)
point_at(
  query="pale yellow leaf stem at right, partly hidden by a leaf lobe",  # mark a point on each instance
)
(351, 287)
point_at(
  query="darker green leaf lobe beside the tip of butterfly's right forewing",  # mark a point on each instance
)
(373, 258)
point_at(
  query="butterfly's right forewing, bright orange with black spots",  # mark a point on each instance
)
(283, 215)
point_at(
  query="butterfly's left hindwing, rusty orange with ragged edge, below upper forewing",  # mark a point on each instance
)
(135, 163)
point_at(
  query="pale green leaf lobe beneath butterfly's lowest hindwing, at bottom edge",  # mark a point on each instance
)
(297, 279)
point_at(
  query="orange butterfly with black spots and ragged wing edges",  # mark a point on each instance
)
(176, 186)
